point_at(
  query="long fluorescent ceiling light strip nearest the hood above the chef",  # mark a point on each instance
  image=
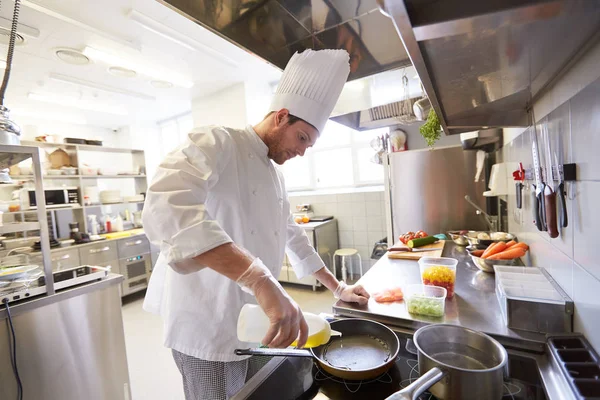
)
(177, 37)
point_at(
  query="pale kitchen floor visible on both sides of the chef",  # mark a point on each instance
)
(152, 371)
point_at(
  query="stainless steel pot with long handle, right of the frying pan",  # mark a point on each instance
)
(457, 363)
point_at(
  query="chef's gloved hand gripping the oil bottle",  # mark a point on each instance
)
(287, 321)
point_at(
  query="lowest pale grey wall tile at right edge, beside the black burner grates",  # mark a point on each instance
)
(587, 305)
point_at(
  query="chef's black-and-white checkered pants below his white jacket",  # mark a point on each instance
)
(214, 380)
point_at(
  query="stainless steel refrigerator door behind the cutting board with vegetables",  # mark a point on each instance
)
(427, 191)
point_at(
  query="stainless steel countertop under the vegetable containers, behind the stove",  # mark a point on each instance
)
(474, 304)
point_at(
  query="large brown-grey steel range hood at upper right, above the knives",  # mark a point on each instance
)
(483, 63)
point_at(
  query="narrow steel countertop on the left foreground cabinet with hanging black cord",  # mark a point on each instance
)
(44, 300)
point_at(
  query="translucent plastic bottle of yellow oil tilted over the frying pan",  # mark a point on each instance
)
(253, 325)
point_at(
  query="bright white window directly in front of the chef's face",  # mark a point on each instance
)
(342, 157)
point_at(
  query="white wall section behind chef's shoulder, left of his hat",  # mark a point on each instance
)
(226, 107)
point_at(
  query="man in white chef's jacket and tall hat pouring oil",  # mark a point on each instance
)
(218, 209)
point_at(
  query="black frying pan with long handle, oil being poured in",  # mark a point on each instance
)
(366, 350)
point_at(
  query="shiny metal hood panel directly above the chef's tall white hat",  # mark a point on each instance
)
(276, 29)
